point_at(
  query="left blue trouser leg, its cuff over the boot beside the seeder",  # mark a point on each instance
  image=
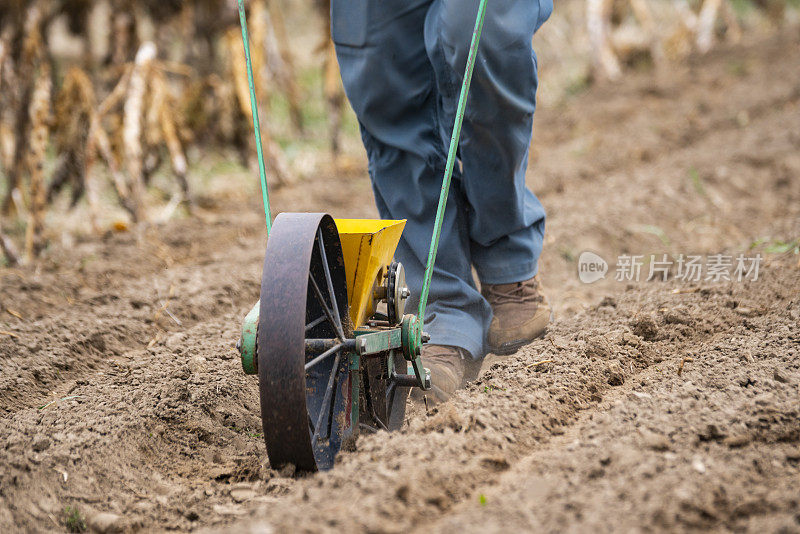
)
(389, 82)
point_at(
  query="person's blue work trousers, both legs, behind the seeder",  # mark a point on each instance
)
(402, 63)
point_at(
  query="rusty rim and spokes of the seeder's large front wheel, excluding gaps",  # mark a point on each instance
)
(287, 306)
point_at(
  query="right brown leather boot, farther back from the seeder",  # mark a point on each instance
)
(521, 314)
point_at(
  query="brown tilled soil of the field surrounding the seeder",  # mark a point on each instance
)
(648, 406)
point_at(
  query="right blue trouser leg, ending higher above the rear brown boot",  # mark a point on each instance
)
(506, 220)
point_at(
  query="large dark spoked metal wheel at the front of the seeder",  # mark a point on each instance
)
(305, 344)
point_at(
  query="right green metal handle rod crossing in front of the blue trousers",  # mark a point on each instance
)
(451, 159)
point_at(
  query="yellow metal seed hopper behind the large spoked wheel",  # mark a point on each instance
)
(368, 246)
